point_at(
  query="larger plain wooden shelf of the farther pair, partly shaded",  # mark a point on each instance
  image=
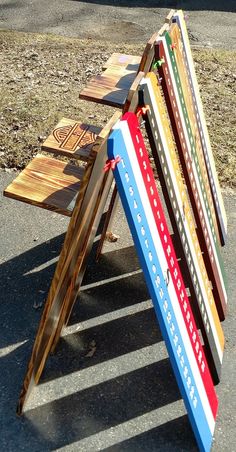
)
(111, 87)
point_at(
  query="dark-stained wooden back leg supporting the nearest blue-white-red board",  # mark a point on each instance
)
(72, 261)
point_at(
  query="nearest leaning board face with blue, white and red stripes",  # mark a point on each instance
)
(137, 189)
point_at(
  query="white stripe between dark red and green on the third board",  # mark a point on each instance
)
(194, 168)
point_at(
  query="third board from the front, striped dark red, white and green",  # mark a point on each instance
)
(172, 89)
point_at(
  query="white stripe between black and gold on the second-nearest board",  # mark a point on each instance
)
(187, 230)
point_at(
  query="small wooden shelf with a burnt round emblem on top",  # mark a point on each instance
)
(72, 139)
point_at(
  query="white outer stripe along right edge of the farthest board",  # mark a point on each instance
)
(201, 121)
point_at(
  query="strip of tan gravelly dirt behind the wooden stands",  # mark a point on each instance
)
(41, 77)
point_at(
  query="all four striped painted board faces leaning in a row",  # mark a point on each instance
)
(196, 211)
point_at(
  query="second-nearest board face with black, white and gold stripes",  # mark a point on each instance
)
(176, 197)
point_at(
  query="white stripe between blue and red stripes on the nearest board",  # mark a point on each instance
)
(160, 253)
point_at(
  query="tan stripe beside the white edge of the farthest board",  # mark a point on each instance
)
(175, 36)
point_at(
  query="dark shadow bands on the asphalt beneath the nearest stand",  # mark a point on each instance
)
(98, 408)
